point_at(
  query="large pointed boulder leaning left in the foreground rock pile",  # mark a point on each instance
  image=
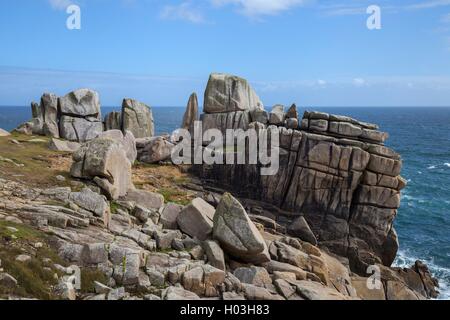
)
(237, 234)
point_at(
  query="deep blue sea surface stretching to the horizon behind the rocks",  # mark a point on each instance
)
(420, 135)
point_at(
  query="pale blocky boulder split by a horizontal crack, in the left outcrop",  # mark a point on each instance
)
(80, 116)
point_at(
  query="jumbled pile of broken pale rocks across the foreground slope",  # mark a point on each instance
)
(168, 251)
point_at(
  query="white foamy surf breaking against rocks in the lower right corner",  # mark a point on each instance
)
(406, 260)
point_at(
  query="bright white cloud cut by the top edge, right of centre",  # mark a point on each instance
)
(256, 8)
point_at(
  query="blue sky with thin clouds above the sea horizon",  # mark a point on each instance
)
(312, 52)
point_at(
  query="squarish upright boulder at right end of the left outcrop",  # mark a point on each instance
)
(137, 118)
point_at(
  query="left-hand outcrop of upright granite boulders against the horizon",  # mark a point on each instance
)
(77, 117)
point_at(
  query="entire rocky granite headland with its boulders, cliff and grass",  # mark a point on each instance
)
(102, 196)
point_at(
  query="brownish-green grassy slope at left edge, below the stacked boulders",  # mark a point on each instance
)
(33, 162)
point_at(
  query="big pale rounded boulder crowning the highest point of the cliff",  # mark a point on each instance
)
(227, 93)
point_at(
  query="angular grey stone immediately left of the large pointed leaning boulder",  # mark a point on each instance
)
(196, 219)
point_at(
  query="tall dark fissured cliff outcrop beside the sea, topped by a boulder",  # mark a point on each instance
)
(334, 171)
